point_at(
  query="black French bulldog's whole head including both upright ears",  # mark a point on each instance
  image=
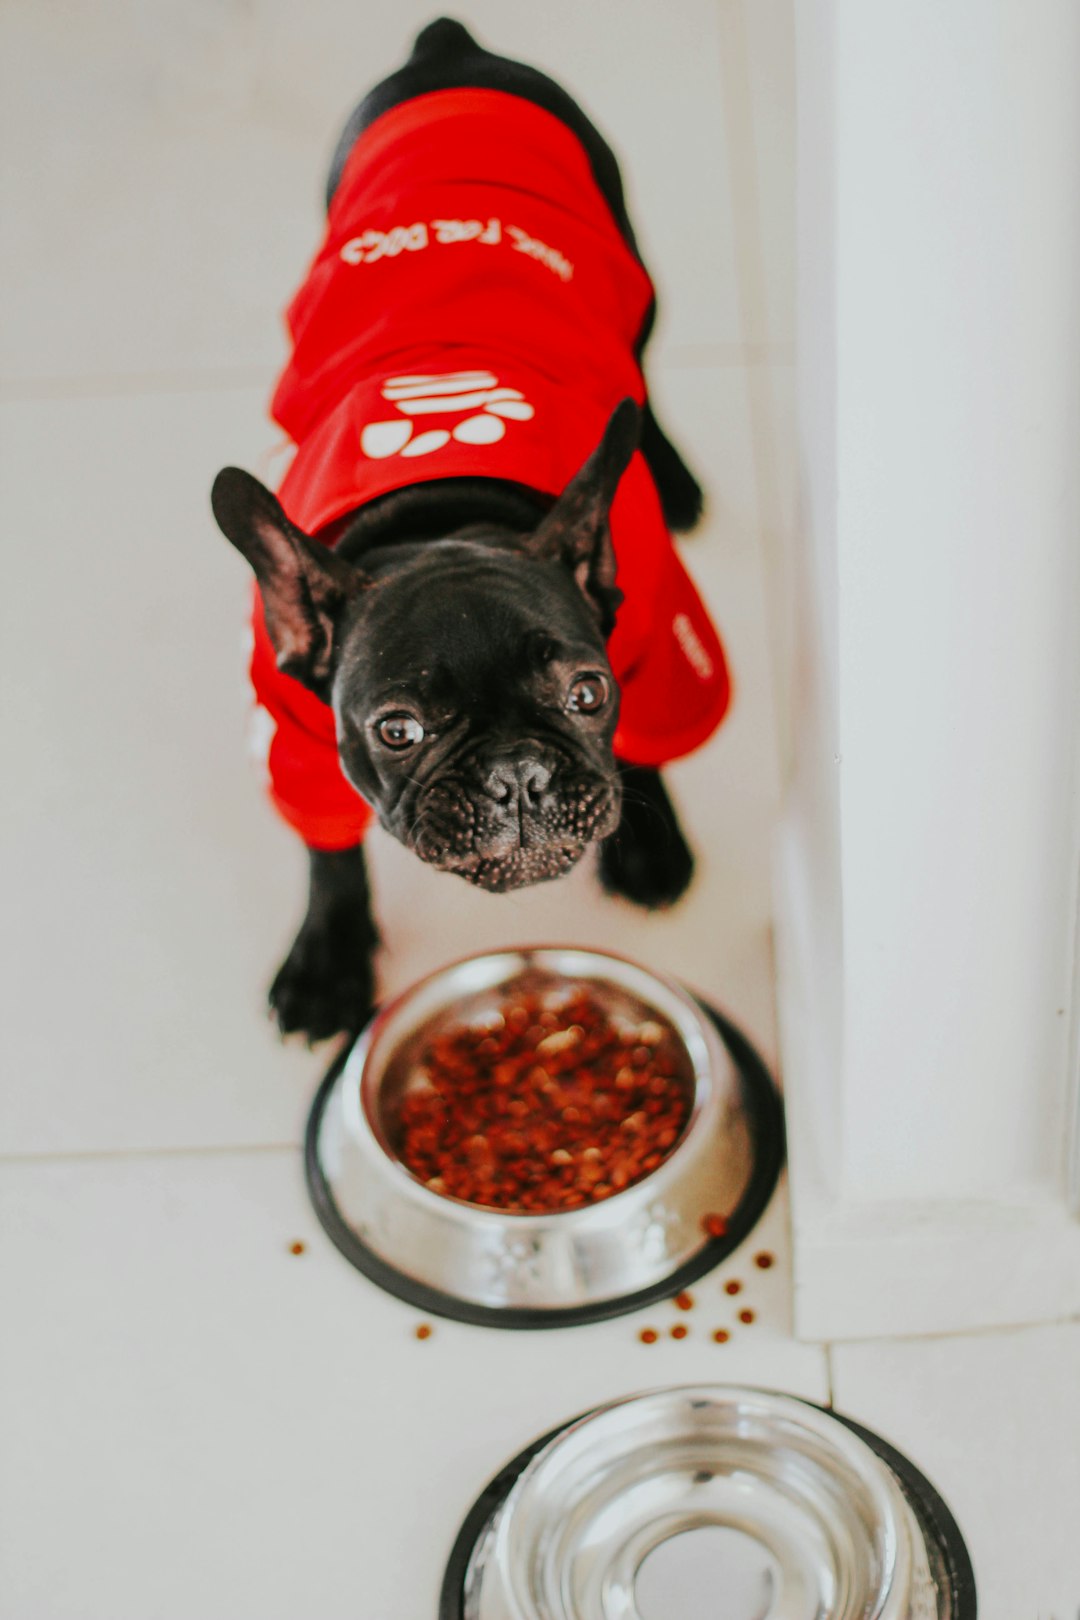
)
(469, 678)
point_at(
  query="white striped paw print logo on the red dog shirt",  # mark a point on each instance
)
(478, 394)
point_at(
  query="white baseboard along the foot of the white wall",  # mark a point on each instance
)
(890, 1269)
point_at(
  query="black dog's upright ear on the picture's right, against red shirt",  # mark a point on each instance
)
(576, 532)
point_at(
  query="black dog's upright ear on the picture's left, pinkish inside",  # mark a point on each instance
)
(305, 586)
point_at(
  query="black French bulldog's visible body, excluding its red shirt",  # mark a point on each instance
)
(457, 629)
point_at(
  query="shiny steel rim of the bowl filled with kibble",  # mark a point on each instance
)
(362, 1106)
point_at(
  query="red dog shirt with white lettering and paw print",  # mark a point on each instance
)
(474, 312)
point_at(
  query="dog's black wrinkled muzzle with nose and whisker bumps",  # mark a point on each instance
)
(514, 822)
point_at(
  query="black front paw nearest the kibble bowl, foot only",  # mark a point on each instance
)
(326, 984)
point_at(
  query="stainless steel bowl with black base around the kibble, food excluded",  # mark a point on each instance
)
(532, 1271)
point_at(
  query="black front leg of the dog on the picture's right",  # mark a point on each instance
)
(647, 859)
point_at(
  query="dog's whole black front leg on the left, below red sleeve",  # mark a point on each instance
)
(326, 984)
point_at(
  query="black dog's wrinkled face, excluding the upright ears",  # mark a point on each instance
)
(475, 710)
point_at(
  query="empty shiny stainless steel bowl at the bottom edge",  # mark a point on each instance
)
(712, 1504)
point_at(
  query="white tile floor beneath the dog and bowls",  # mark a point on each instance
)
(197, 1423)
